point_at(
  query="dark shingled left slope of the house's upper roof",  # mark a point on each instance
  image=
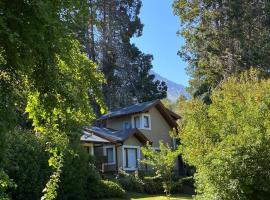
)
(136, 108)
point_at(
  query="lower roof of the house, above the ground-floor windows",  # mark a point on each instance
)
(114, 136)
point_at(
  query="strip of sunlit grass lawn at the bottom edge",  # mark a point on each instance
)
(139, 196)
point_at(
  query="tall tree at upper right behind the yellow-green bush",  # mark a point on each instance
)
(223, 38)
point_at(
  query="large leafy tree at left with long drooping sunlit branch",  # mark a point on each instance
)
(44, 74)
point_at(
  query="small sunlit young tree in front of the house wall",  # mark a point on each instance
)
(162, 162)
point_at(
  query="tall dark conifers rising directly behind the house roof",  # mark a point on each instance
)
(105, 32)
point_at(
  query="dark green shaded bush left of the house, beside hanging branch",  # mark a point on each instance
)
(79, 175)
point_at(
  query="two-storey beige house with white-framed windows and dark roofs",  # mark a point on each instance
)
(116, 142)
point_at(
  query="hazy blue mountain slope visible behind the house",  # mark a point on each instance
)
(174, 89)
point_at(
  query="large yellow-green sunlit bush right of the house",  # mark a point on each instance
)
(228, 141)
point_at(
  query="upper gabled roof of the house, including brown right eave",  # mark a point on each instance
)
(169, 115)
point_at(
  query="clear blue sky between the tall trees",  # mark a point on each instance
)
(159, 39)
